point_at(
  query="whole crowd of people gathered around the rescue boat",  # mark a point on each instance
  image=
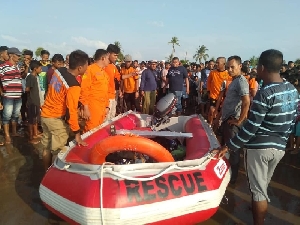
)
(251, 108)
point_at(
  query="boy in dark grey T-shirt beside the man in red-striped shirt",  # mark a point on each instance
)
(33, 100)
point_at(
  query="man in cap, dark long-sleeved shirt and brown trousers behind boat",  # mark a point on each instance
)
(148, 88)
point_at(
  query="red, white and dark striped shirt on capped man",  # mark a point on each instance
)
(11, 80)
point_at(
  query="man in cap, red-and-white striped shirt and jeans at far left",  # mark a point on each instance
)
(12, 91)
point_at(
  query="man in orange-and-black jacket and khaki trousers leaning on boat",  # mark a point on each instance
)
(59, 112)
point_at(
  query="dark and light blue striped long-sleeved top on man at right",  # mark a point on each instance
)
(271, 118)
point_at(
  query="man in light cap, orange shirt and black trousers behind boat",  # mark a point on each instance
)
(130, 85)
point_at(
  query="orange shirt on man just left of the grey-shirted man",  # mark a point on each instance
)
(214, 82)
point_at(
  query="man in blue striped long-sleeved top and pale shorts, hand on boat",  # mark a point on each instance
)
(265, 133)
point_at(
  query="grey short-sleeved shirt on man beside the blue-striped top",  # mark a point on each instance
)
(232, 104)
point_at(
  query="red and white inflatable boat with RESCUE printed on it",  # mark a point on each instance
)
(145, 184)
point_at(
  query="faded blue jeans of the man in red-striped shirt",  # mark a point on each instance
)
(11, 109)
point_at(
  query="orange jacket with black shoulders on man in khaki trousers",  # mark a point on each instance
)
(62, 98)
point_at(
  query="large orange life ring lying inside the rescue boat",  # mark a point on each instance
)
(129, 143)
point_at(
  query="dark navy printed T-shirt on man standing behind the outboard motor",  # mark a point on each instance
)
(176, 75)
